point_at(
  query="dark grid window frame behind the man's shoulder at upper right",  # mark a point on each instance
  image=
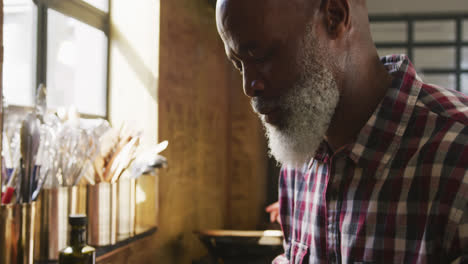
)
(410, 44)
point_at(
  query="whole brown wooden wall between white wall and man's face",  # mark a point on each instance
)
(217, 153)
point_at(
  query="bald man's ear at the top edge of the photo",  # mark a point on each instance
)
(336, 16)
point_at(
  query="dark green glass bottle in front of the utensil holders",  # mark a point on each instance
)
(77, 252)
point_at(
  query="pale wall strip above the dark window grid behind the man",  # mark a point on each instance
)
(412, 6)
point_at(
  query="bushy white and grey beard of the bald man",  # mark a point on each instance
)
(306, 110)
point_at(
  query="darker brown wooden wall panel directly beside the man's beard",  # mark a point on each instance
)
(248, 162)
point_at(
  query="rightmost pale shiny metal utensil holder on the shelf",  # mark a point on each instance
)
(125, 208)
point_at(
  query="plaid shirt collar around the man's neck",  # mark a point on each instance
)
(378, 140)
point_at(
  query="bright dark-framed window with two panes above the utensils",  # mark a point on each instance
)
(63, 44)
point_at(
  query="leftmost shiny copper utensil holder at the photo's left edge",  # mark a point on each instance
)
(17, 233)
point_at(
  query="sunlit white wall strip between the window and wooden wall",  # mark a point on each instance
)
(134, 62)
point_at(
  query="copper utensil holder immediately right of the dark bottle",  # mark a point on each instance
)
(102, 214)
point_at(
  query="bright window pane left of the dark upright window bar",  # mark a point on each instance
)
(19, 44)
